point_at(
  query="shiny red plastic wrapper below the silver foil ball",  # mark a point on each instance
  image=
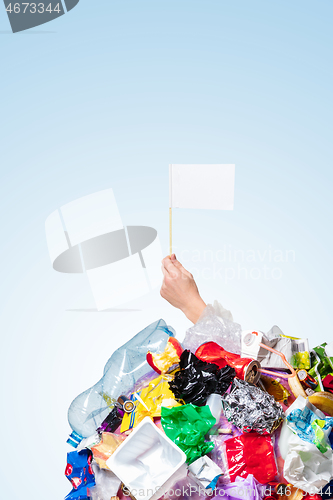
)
(251, 453)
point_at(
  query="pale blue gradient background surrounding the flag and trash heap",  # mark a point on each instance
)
(108, 96)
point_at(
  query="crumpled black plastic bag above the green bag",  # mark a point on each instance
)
(196, 379)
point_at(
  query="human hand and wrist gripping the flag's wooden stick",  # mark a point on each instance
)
(180, 289)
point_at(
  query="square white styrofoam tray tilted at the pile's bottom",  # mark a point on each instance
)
(146, 460)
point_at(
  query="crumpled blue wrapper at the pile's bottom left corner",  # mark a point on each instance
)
(79, 472)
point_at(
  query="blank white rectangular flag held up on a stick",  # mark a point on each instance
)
(202, 186)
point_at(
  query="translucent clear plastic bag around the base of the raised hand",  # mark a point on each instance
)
(215, 324)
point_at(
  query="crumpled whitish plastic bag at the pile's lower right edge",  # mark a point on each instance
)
(306, 467)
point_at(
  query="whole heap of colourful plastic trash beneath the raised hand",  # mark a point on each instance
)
(228, 413)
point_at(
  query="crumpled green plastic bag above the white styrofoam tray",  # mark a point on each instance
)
(187, 426)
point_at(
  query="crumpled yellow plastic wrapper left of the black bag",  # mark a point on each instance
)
(149, 401)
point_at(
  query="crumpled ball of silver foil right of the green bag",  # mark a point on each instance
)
(250, 408)
